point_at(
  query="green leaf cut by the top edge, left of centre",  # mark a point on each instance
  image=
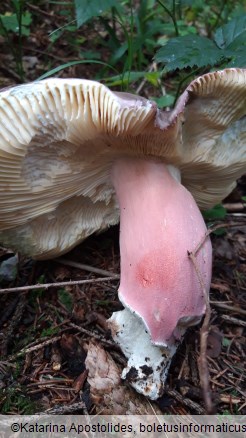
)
(87, 9)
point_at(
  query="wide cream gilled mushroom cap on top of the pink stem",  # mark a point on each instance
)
(59, 138)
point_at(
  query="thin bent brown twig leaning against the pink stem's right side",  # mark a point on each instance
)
(202, 363)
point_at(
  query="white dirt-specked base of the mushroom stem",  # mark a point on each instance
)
(148, 364)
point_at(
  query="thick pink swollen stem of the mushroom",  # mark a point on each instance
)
(159, 223)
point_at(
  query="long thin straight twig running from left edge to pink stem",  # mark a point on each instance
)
(61, 283)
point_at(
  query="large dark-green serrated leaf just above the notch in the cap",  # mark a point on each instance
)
(188, 51)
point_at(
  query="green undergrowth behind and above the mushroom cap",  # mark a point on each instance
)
(127, 44)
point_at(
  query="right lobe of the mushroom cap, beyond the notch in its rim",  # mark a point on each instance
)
(214, 134)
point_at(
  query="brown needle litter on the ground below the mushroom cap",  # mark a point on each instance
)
(57, 353)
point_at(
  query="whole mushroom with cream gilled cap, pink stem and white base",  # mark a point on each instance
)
(75, 157)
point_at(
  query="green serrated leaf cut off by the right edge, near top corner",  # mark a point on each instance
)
(226, 34)
